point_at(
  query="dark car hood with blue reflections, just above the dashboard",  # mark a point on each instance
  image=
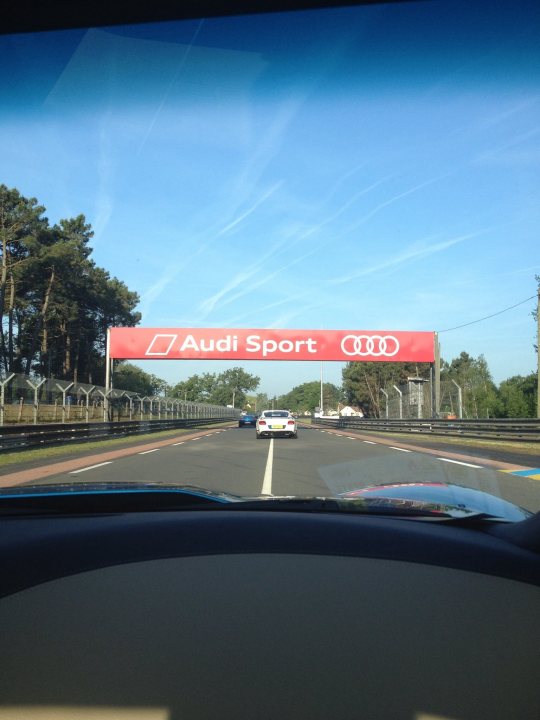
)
(414, 500)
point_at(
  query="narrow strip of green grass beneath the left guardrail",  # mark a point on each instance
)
(74, 448)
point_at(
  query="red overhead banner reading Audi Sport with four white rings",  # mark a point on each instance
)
(242, 344)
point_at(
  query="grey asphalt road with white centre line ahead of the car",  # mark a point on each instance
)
(317, 463)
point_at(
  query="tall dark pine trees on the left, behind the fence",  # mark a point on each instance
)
(56, 303)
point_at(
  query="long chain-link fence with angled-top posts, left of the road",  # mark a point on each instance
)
(29, 399)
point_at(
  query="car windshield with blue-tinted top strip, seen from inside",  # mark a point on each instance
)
(334, 212)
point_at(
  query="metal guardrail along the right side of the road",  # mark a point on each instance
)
(497, 429)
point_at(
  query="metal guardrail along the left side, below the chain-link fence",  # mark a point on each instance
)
(25, 437)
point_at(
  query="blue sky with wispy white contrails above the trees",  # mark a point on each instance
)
(361, 168)
